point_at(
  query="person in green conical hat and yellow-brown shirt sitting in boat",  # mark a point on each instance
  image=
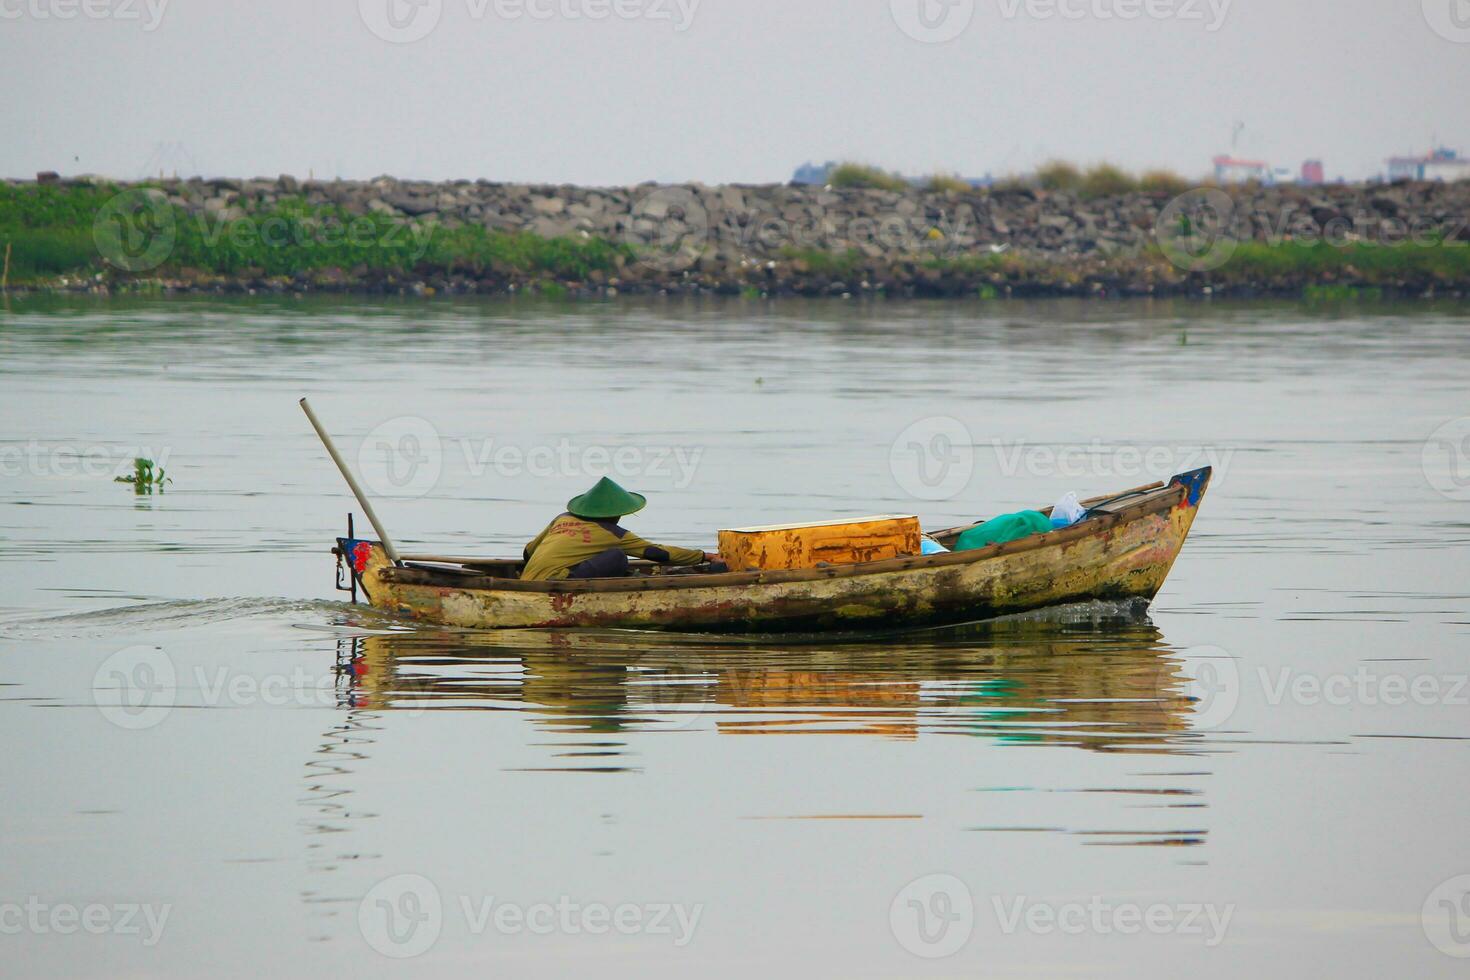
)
(586, 543)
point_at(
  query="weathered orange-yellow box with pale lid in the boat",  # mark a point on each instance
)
(825, 543)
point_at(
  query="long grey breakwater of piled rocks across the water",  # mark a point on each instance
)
(847, 242)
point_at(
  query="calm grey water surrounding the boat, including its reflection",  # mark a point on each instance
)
(218, 768)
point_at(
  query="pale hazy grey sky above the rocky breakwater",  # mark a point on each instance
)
(618, 92)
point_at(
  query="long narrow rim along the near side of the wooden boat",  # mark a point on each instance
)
(1161, 500)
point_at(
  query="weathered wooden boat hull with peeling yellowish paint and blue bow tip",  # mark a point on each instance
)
(1122, 550)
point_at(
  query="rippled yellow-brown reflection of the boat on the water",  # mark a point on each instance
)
(1055, 681)
